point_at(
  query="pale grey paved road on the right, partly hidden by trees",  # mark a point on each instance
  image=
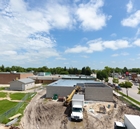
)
(132, 92)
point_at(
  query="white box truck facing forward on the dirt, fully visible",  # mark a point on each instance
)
(77, 107)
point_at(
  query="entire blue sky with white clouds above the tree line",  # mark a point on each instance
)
(71, 33)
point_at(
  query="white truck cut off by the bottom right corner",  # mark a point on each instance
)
(130, 122)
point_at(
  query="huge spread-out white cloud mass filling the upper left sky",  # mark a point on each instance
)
(25, 31)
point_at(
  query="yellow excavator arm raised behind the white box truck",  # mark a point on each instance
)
(69, 98)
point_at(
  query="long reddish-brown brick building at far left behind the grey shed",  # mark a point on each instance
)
(7, 77)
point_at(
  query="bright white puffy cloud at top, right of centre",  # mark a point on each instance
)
(90, 15)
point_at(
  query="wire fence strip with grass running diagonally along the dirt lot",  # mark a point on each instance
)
(15, 109)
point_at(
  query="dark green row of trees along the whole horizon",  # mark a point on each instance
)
(60, 70)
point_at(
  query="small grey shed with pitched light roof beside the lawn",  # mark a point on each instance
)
(22, 84)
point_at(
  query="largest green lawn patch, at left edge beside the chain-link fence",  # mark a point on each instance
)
(5, 105)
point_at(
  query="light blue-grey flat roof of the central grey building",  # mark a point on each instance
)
(71, 83)
